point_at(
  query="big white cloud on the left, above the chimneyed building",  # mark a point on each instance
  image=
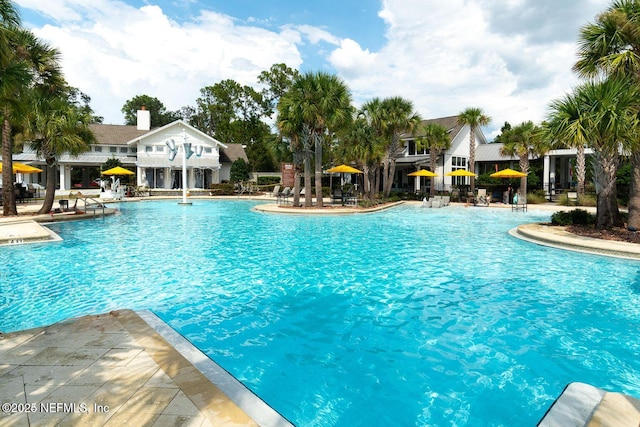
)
(126, 51)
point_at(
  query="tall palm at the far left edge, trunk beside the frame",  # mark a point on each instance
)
(27, 64)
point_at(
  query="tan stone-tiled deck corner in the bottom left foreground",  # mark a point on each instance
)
(115, 369)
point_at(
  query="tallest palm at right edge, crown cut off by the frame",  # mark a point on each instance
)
(611, 46)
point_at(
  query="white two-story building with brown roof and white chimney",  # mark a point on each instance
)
(155, 155)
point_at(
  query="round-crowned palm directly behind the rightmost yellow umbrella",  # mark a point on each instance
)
(524, 141)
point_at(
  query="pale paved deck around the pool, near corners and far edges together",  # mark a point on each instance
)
(147, 374)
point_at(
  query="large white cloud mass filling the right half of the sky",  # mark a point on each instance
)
(447, 56)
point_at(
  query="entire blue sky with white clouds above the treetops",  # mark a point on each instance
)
(508, 57)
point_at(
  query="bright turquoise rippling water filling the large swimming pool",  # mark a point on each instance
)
(404, 317)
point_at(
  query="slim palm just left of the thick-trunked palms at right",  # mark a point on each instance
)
(565, 127)
